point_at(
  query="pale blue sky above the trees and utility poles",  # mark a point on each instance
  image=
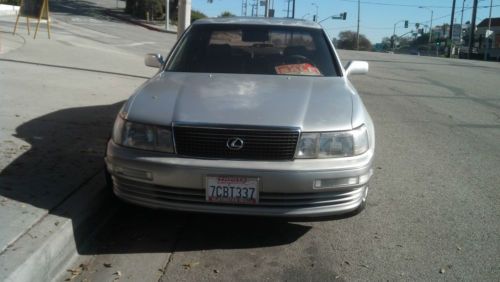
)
(377, 17)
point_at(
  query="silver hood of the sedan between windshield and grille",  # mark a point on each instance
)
(309, 103)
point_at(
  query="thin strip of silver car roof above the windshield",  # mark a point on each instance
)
(258, 21)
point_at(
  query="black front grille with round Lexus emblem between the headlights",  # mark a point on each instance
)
(259, 144)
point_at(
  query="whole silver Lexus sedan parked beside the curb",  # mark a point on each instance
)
(246, 116)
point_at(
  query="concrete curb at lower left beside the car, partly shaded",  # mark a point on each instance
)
(45, 251)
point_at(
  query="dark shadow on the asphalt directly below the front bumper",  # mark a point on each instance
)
(141, 230)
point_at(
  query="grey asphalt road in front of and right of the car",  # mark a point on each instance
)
(433, 210)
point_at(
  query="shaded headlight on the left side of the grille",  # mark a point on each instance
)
(142, 136)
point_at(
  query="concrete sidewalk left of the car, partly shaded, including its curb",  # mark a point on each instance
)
(58, 101)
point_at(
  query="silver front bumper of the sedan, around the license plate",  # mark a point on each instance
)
(287, 188)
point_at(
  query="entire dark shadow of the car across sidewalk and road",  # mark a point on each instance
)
(66, 150)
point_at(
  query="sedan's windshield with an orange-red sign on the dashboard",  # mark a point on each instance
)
(248, 49)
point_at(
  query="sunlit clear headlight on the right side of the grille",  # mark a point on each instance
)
(333, 144)
